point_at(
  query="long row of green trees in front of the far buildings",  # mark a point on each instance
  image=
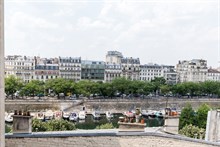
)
(120, 86)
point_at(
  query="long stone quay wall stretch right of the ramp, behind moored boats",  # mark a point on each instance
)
(122, 105)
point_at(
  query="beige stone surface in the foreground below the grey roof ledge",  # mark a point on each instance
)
(123, 141)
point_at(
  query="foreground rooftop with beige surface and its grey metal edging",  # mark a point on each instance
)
(101, 138)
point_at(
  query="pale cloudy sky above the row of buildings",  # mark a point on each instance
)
(155, 31)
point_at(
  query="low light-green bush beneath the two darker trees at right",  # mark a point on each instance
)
(192, 131)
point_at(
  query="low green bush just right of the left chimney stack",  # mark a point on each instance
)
(52, 125)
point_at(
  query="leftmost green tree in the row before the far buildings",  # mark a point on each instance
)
(12, 84)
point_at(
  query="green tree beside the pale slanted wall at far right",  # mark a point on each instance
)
(201, 116)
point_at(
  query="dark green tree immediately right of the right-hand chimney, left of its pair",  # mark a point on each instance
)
(187, 116)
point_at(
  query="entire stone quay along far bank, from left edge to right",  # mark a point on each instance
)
(115, 105)
